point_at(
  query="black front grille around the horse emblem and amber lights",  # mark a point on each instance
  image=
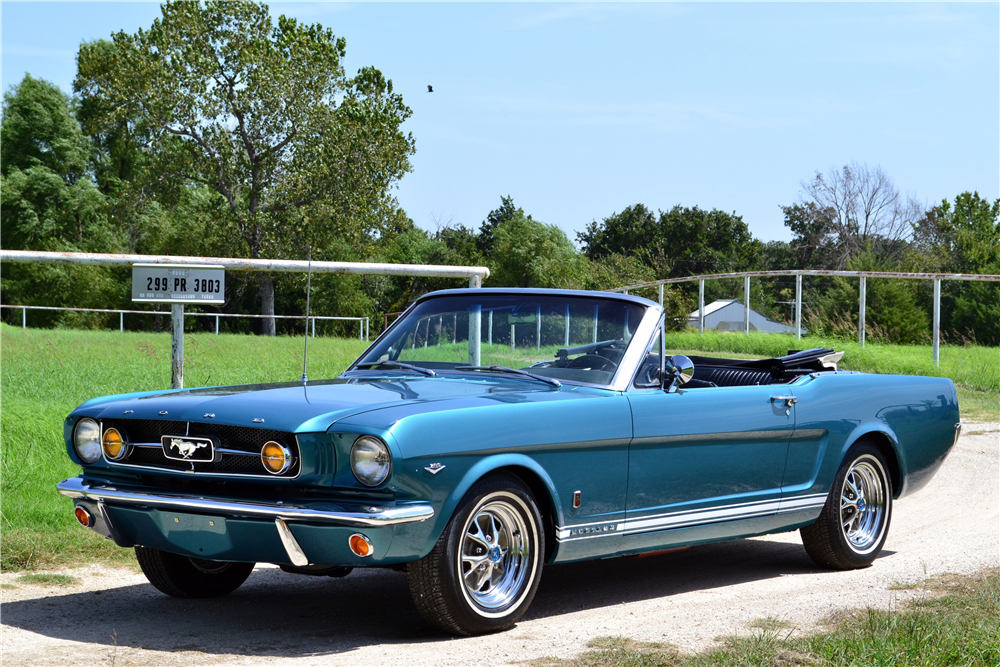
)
(243, 445)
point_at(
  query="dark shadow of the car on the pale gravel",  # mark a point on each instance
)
(282, 615)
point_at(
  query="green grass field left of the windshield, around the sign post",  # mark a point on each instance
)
(45, 374)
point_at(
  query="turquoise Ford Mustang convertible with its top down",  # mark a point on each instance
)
(490, 432)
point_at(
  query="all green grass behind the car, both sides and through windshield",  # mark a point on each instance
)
(46, 373)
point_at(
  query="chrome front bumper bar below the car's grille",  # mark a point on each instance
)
(386, 515)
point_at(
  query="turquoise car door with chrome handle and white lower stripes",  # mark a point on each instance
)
(704, 457)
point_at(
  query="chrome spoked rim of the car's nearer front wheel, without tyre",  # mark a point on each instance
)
(495, 557)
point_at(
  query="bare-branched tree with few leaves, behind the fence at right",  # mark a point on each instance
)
(848, 211)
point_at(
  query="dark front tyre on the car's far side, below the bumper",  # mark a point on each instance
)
(184, 577)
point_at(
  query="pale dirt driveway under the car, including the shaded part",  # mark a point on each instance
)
(685, 598)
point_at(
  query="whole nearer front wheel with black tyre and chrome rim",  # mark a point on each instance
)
(484, 570)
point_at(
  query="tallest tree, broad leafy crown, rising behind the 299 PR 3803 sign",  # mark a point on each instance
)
(218, 95)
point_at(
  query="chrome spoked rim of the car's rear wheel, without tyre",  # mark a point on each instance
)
(863, 504)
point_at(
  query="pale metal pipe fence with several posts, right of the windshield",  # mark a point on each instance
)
(862, 276)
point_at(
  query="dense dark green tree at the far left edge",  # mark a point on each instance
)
(49, 202)
